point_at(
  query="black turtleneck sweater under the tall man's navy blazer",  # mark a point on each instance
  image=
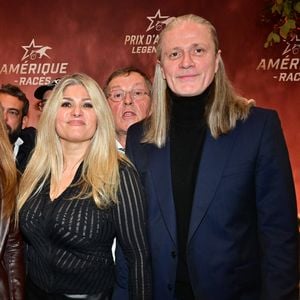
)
(187, 131)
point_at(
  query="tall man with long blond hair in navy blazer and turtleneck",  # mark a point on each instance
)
(222, 217)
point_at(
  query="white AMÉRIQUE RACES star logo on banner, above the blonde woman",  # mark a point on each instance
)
(33, 70)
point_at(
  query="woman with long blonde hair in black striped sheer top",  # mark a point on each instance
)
(77, 194)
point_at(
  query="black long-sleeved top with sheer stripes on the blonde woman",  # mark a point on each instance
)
(69, 241)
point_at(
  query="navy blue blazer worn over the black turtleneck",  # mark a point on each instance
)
(243, 236)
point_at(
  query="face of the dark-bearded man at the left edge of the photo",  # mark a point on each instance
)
(12, 113)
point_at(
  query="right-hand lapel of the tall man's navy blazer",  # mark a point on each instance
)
(214, 156)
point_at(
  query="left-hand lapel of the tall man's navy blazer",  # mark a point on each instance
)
(160, 170)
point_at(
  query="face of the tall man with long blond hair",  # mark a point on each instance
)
(188, 59)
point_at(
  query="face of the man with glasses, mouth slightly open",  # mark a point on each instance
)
(129, 110)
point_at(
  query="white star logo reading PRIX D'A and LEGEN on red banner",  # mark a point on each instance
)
(145, 43)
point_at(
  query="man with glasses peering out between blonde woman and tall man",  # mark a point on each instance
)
(128, 91)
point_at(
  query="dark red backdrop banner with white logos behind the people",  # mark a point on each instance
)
(260, 43)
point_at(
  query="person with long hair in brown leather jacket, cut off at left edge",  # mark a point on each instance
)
(11, 246)
